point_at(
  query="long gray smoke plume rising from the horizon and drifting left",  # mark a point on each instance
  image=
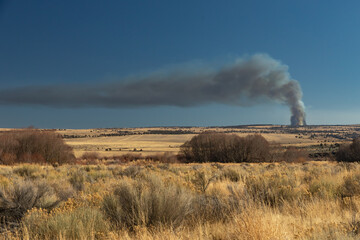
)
(249, 80)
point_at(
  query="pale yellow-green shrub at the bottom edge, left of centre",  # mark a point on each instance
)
(80, 223)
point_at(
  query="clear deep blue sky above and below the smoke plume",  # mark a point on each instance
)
(59, 42)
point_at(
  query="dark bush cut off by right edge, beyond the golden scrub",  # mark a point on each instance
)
(349, 152)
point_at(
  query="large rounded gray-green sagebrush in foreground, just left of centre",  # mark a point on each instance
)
(147, 203)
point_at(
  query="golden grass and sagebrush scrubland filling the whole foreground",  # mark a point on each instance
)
(144, 200)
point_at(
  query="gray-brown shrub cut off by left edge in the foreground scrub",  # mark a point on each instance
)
(23, 196)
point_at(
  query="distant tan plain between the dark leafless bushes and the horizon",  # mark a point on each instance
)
(148, 141)
